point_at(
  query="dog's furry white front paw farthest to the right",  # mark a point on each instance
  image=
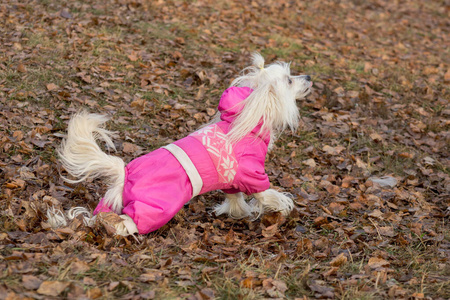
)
(271, 200)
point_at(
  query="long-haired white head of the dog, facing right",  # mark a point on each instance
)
(272, 101)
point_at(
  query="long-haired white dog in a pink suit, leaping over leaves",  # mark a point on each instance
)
(227, 154)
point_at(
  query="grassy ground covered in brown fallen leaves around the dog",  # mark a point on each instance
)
(368, 167)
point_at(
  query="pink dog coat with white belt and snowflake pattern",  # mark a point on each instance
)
(158, 184)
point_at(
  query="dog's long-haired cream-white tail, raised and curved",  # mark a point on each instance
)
(82, 157)
